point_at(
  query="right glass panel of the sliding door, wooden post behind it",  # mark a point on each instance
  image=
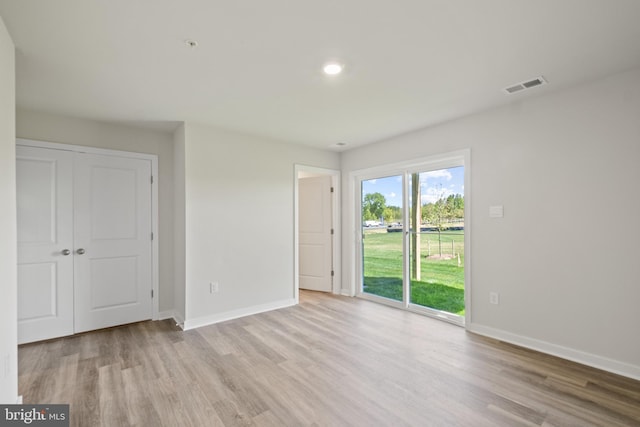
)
(436, 240)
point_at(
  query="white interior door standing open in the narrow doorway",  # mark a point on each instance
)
(314, 231)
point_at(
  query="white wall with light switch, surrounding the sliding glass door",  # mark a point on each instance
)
(564, 258)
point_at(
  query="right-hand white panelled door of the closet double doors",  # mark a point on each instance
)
(112, 233)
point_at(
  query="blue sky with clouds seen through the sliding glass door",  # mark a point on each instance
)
(433, 184)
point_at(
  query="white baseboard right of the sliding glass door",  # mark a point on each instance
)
(595, 361)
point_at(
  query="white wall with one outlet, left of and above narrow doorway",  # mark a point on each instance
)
(239, 221)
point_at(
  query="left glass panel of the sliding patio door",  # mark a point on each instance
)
(382, 237)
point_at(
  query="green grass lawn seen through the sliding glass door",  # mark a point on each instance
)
(441, 285)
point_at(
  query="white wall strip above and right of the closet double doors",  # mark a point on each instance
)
(67, 130)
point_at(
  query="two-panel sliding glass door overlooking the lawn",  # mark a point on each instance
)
(413, 240)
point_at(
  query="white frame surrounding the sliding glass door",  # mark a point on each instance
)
(434, 162)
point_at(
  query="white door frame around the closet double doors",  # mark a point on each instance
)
(155, 279)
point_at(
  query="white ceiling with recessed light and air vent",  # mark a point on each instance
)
(257, 68)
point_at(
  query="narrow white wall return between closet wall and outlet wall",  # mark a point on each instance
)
(179, 223)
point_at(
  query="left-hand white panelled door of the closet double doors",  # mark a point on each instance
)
(45, 243)
